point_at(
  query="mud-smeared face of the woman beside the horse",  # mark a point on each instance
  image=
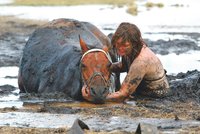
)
(123, 48)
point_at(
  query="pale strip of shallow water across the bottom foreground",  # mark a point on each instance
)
(46, 120)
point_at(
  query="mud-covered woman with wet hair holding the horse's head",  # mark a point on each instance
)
(145, 72)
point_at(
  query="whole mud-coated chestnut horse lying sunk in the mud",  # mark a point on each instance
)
(67, 56)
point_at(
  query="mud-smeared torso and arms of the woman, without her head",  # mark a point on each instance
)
(145, 74)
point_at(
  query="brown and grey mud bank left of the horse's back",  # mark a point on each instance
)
(13, 36)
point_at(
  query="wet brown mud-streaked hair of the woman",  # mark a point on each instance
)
(131, 33)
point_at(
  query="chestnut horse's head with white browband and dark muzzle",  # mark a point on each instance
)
(95, 69)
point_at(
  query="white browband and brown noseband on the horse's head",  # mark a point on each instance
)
(107, 82)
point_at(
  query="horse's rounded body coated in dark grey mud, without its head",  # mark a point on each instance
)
(51, 57)
